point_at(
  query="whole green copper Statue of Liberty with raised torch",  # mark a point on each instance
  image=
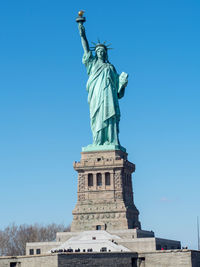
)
(104, 87)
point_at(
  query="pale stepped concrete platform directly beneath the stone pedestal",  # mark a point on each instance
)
(134, 240)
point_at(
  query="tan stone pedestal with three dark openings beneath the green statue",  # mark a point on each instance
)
(105, 195)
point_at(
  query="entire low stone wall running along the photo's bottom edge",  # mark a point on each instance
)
(179, 258)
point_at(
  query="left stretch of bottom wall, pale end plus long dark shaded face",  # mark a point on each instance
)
(73, 260)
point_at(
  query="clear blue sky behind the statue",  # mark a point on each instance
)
(44, 115)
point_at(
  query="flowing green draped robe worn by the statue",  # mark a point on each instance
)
(103, 93)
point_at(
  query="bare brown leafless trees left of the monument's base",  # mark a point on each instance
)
(13, 238)
